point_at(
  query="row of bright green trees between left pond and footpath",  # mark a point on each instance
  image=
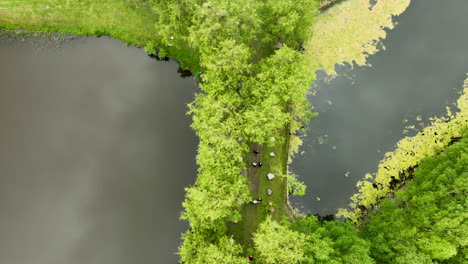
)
(220, 188)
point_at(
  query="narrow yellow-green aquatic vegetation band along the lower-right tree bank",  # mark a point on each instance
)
(409, 152)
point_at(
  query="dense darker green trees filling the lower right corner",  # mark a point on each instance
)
(426, 221)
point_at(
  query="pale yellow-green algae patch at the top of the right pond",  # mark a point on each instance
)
(350, 32)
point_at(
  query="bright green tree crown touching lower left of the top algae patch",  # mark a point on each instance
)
(277, 94)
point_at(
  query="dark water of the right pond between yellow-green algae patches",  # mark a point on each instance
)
(363, 116)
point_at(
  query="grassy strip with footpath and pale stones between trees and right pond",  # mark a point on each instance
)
(254, 214)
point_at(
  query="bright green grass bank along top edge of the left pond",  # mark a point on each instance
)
(131, 21)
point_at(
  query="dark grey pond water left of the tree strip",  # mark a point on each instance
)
(95, 153)
